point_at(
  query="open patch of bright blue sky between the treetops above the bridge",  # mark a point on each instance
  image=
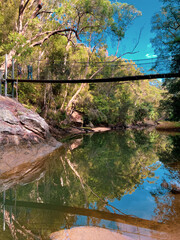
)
(145, 50)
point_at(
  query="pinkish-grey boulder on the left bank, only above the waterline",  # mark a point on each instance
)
(18, 124)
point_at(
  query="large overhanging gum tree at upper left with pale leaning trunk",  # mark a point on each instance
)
(82, 24)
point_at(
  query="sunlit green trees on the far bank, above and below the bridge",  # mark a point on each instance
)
(57, 56)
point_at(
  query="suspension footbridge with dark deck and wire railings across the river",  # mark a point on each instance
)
(116, 71)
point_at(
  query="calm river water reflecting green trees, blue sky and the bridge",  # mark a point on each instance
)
(110, 180)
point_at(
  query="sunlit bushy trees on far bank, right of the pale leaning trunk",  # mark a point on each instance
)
(114, 103)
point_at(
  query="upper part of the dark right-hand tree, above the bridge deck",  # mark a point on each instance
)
(166, 26)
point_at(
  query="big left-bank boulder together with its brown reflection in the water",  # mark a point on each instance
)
(25, 143)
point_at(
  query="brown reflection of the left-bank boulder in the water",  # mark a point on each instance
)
(26, 162)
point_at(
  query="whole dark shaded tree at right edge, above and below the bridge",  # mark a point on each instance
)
(166, 25)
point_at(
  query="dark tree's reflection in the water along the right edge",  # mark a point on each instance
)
(167, 201)
